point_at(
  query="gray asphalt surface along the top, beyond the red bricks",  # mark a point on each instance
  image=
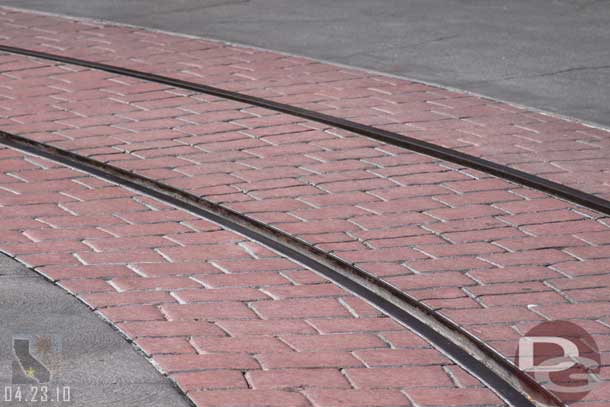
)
(548, 54)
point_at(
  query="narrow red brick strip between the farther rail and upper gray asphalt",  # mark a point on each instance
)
(560, 150)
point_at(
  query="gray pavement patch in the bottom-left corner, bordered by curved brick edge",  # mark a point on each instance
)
(83, 353)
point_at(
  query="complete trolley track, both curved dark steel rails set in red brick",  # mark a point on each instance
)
(475, 356)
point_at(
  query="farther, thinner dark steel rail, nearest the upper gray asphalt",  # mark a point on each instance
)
(502, 171)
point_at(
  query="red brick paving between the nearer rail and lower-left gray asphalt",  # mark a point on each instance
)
(195, 299)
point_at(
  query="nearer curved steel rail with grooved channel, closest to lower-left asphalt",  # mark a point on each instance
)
(476, 357)
